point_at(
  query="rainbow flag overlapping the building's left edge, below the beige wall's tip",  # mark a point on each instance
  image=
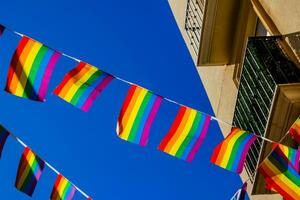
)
(231, 153)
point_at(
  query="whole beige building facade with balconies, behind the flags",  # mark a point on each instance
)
(252, 81)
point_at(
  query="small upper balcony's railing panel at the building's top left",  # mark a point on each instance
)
(194, 22)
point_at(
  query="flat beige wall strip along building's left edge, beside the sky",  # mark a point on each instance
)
(217, 80)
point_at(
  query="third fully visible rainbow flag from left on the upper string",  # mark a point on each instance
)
(137, 114)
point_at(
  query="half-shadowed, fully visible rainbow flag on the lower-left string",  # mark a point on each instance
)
(29, 171)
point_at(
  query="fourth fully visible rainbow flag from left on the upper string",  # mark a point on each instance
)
(186, 134)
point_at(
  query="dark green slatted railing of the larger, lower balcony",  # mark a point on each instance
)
(265, 66)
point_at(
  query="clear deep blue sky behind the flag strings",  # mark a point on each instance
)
(138, 41)
